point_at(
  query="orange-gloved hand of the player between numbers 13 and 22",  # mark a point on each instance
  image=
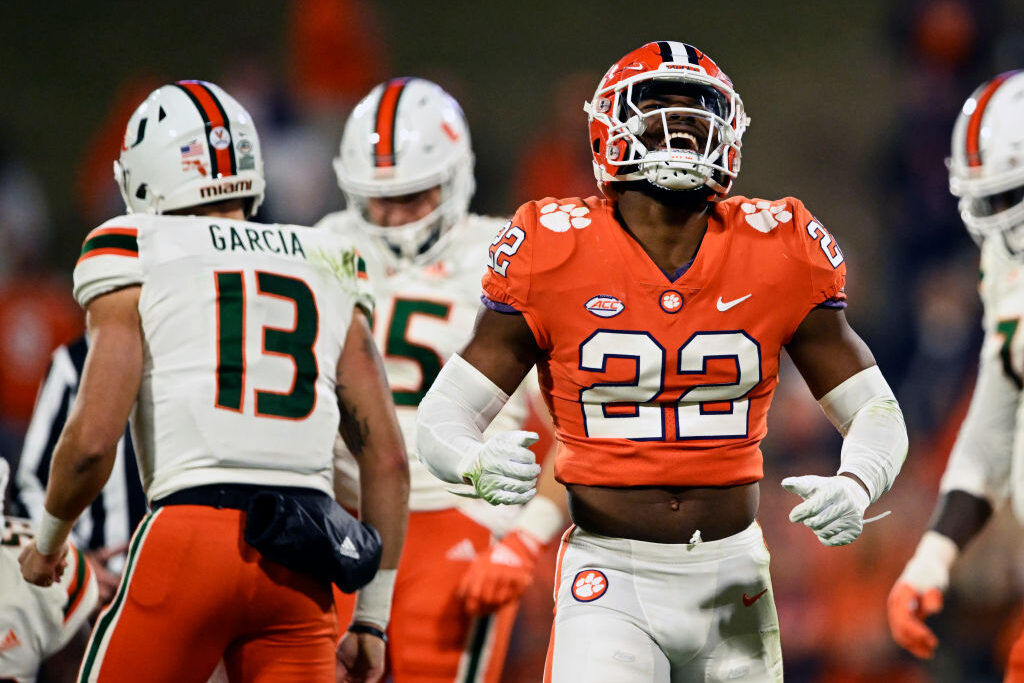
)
(501, 574)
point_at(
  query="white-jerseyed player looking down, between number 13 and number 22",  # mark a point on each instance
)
(406, 166)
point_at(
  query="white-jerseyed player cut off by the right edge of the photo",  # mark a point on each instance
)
(987, 466)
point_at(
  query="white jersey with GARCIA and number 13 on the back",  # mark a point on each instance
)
(243, 324)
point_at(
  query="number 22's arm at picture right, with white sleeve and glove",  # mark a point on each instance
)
(841, 373)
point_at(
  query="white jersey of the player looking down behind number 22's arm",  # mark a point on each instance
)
(424, 315)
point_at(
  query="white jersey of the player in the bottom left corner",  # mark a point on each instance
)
(37, 622)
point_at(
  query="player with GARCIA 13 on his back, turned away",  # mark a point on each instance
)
(237, 349)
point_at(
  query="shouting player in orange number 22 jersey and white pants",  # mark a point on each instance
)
(657, 316)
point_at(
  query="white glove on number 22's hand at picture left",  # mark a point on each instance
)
(503, 472)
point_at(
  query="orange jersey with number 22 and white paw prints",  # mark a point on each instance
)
(655, 380)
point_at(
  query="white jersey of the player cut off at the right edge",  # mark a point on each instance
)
(988, 460)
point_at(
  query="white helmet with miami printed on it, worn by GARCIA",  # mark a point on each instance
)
(190, 144)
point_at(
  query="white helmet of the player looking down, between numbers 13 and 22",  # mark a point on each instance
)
(406, 137)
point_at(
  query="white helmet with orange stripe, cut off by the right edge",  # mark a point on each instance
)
(987, 167)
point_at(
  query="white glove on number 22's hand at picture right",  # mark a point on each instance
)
(833, 507)
